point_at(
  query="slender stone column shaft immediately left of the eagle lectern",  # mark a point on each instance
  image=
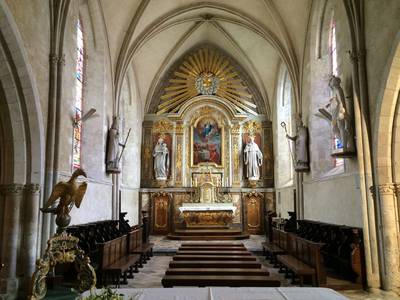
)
(31, 207)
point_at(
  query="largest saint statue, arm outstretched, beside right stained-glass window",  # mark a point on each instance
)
(339, 115)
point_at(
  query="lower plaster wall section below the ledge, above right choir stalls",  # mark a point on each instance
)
(336, 200)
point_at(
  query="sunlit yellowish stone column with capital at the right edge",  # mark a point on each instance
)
(390, 271)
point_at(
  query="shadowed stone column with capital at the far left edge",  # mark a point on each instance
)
(12, 195)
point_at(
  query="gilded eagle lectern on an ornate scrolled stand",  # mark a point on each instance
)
(63, 247)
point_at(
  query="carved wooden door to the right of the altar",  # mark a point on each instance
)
(253, 209)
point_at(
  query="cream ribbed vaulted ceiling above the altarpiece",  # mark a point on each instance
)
(150, 36)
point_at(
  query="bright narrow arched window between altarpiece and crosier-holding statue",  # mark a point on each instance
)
(284, 176)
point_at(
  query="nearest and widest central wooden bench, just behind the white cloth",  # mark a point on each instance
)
(217, 280)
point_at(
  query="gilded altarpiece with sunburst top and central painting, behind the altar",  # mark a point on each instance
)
(206, 108)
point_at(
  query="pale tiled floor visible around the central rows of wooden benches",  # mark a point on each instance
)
(153, 271)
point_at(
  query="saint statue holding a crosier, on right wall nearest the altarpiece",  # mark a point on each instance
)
(301, 162)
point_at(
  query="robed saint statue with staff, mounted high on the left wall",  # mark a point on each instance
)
(113, 154)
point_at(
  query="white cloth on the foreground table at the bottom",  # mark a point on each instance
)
(222, 293)
